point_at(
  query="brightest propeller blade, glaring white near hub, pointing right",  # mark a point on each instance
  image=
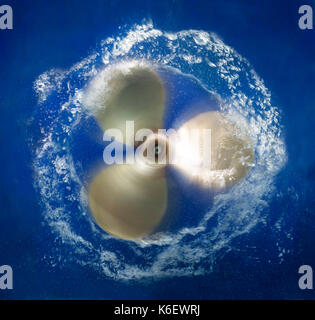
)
(231, 153)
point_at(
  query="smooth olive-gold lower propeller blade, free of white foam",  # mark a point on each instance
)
(127, 202)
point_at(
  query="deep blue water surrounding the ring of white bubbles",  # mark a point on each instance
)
(258, 264)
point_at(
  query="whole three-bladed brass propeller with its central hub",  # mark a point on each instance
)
(129, 201)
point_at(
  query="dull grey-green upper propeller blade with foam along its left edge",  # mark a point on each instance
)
(138, 96)
